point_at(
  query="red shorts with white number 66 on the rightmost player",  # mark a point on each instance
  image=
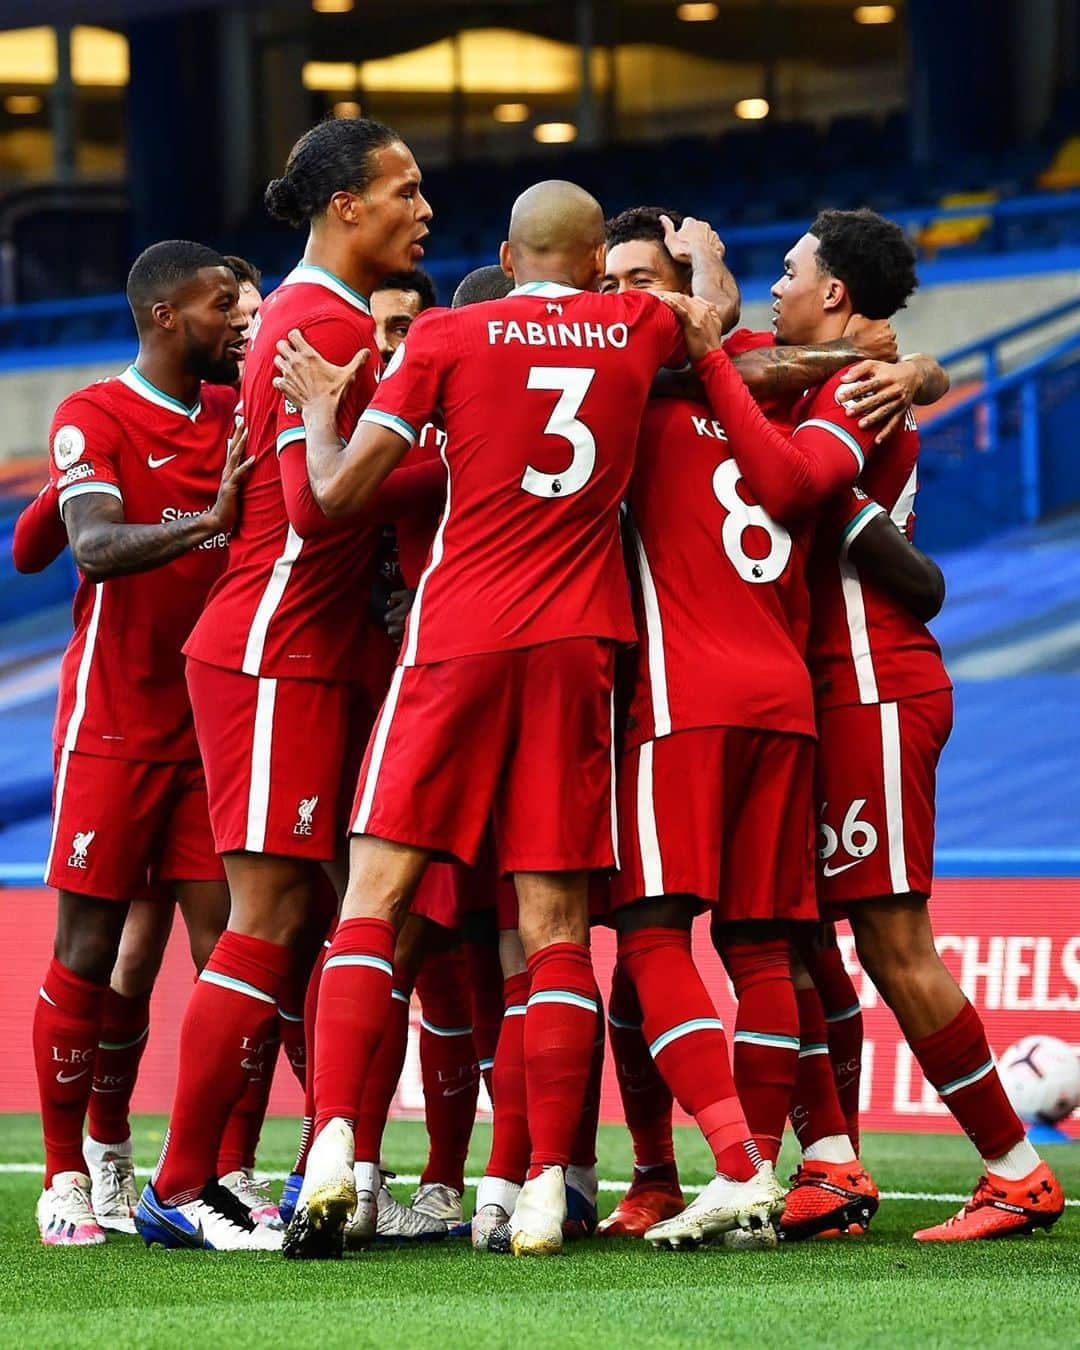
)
(877, 770)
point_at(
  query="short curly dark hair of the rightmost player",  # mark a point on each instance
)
(871, 256)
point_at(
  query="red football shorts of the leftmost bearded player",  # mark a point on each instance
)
(121, 827)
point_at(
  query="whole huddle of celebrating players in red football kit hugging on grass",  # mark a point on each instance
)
(464, 630)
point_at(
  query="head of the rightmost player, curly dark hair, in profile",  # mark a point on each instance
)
(850, 263)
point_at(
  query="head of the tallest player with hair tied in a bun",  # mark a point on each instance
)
(354, 178)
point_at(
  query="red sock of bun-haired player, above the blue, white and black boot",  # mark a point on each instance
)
(232, 1017)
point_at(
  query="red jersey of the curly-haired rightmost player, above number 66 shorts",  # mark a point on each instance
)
(865, 646)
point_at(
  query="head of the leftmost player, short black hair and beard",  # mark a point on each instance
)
(187, 298)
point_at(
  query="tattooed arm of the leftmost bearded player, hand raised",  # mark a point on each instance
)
(105, 545)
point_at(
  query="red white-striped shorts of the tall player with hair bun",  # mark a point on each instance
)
(280, 758)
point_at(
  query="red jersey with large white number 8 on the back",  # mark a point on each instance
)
(720, 593)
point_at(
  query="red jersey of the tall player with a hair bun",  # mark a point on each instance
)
(294, 600)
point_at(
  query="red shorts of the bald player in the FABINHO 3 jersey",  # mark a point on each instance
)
(519, 739)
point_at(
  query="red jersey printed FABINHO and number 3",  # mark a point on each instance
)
(542, 396)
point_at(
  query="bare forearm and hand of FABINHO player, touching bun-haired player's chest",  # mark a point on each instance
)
(344, 479)
